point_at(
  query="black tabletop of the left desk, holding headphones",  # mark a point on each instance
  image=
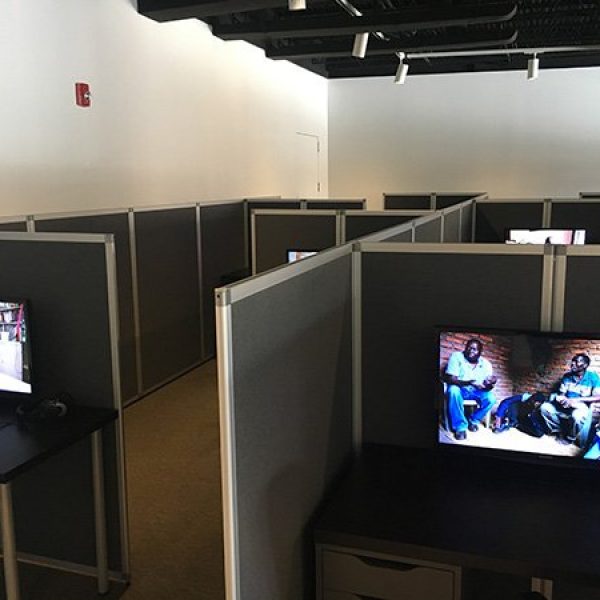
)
(23, 445)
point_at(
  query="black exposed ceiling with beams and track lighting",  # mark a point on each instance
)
(464, 36)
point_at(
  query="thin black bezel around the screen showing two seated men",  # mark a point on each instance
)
(467, 451)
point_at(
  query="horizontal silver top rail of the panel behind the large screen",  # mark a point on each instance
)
(452, 248)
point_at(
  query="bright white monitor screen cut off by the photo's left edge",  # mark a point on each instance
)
(15, 348)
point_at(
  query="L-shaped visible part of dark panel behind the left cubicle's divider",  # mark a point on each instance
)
(117, 223)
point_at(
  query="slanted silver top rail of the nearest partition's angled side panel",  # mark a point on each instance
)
(262, 281)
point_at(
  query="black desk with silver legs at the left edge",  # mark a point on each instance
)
(23, 447)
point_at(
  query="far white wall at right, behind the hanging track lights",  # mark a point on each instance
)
(490, 132)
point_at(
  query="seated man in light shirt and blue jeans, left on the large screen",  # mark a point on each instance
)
(469, 377)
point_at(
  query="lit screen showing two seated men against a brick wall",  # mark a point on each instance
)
(520, 392)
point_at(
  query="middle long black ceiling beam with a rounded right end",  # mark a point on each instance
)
(387, 22)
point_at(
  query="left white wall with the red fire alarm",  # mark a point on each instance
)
(177, 115)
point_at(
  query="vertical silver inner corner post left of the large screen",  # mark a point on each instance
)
(357, 348)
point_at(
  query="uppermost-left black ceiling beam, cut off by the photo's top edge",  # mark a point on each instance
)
(171, 10)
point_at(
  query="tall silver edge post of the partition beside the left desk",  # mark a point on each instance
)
(113, 316)
